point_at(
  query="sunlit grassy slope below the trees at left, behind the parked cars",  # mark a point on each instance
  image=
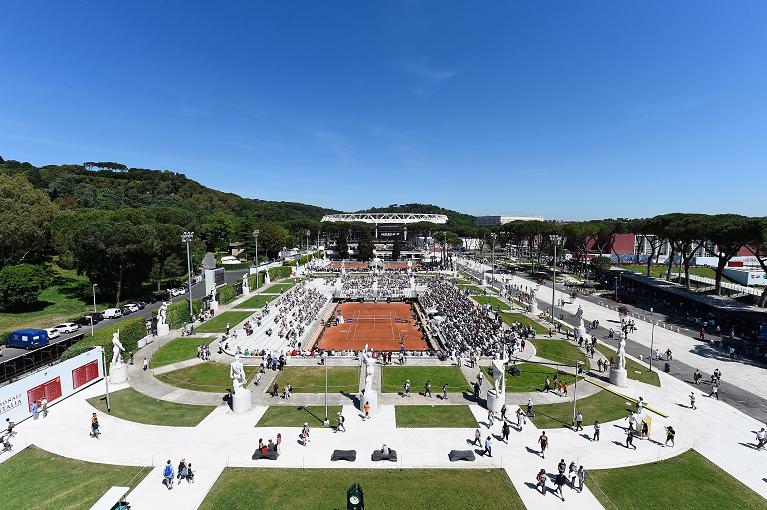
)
(63, 300)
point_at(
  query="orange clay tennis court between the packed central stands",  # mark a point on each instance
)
(380, 325)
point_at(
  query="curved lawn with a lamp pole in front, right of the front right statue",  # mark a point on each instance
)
(603, 406)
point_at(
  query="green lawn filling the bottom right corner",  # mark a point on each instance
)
(689, 480)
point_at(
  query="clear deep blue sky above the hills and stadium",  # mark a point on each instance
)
(565, 109)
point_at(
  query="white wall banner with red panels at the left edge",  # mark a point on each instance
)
(54, 383)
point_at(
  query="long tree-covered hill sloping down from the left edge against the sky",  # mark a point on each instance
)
(112, 186)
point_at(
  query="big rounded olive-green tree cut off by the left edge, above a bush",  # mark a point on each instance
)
(24, 216)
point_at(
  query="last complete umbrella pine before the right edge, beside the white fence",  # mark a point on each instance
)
(730, 232)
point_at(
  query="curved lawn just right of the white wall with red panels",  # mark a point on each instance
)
(131, 405)
